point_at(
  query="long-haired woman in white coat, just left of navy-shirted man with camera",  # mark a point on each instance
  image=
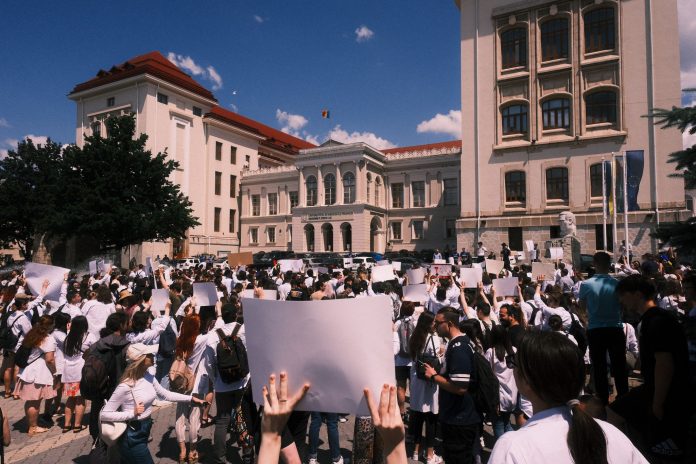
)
(423, 346)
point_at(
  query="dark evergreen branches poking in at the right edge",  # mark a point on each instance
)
(680, 235)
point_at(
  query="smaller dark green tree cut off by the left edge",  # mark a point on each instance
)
(30, 188)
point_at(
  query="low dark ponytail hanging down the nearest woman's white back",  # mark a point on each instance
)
(586, 440)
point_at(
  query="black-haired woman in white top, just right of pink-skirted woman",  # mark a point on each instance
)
(76, 344)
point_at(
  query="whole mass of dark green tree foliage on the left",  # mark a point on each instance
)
(112, 189)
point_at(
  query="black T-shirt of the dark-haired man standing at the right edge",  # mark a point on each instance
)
(660, 332)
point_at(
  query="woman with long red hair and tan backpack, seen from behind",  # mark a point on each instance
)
(190, 346)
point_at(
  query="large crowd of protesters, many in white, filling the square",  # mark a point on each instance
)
(547, 369)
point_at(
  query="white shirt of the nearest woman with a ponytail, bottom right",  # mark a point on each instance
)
(544, 439)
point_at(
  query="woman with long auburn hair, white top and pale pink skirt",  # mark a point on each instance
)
(36, 379)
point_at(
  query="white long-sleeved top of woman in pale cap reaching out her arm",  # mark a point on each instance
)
(121, 406)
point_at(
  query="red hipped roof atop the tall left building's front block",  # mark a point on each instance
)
(151, 63)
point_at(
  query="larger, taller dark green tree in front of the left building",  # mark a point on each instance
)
(120, 193)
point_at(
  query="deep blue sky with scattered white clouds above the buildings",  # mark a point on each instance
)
(388, 70)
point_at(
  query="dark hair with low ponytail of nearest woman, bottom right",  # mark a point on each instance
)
(552, 367)
